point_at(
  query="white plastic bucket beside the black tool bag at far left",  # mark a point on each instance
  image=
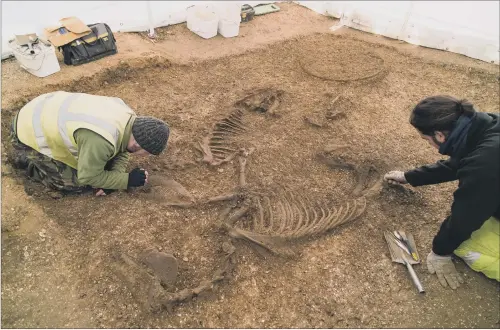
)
(41, 64)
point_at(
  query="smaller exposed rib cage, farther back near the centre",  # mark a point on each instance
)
(218, 147)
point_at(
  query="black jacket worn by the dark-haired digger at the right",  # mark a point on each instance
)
(477, 168)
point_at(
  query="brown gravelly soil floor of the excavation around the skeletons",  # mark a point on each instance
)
(59, 256)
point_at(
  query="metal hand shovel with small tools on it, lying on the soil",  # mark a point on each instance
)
(404, 251)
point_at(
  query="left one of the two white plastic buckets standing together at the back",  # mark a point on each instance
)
(202, 20)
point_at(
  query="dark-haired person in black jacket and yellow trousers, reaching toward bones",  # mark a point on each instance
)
(472, 140)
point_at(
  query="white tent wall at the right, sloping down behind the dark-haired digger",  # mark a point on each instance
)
(471, 28)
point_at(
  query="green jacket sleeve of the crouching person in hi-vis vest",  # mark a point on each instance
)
(94, 152)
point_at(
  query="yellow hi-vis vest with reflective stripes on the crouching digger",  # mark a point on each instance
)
(48, 123)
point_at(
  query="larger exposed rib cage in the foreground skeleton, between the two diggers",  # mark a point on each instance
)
(273, 224)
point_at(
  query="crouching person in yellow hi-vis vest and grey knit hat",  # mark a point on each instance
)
(72, 142)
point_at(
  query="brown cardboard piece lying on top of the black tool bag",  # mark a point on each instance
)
(69, 29)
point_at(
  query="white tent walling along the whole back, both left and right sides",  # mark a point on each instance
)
(466, 27)
